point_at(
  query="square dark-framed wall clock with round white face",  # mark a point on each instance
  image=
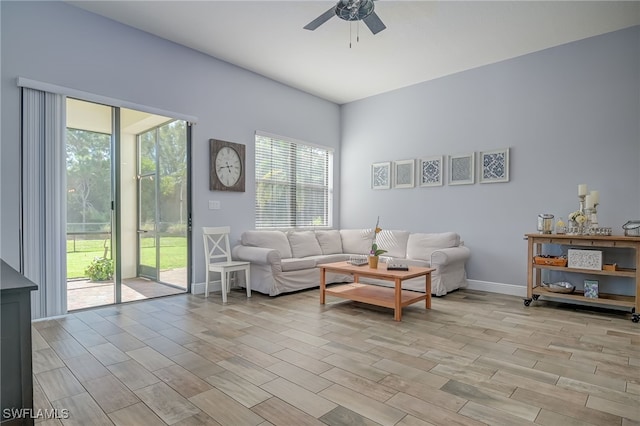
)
(227, 169)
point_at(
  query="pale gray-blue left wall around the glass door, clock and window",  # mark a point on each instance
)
(59, 44)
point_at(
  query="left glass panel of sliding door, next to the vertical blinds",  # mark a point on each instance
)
(90, 255)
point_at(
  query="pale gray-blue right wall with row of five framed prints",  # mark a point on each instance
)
(569, 114)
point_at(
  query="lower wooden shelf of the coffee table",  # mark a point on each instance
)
(375, 294)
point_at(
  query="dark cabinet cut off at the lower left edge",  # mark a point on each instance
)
(15, 346)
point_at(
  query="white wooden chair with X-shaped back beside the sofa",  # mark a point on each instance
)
(218, 259)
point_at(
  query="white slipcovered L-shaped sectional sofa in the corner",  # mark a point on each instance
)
(285, 261)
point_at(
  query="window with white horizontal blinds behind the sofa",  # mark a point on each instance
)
(293, 183)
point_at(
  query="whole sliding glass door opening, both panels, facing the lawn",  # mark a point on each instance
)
(127, 204)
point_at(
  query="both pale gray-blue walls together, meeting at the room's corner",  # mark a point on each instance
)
(570, 115)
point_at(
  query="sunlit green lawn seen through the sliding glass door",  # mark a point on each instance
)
(173, 254)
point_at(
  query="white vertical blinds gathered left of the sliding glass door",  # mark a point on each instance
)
(43, 204)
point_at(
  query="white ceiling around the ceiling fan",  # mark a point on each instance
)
(424, 40)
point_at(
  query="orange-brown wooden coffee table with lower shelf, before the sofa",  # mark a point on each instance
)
(395, 298)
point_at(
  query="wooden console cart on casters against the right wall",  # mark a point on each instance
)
(534, 271)
